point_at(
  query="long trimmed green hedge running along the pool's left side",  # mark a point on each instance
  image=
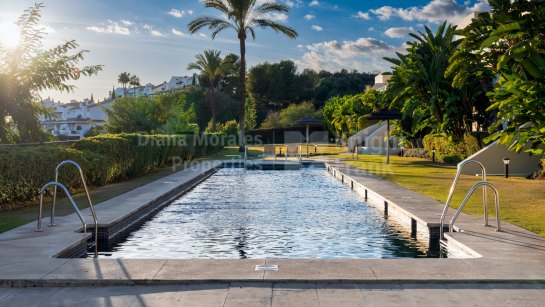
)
(104, 159)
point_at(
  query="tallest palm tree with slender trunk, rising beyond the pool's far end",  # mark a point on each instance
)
(242, 16)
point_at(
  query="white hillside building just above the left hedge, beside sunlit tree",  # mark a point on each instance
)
(75, 119)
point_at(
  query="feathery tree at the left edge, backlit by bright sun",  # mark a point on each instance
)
(26, 70)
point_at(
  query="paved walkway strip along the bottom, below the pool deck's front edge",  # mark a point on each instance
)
(278, 294)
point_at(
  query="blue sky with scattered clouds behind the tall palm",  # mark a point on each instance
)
(150, 38)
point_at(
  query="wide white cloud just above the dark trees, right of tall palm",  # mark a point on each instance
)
(363, 54)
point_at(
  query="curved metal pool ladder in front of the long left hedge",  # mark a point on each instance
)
(78, 212)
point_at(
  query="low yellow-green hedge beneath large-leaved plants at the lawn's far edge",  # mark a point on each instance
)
(449, 151)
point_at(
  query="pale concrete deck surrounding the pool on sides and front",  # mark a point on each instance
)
(511, 256)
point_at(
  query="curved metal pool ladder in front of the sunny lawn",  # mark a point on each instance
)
(484, 184)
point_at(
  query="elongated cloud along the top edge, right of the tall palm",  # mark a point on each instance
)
(436, 11)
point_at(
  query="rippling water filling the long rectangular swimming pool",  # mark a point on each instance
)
(239, 213)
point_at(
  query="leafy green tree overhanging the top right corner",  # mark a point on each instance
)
(509, 43)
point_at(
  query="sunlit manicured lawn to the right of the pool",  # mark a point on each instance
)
(522, 201)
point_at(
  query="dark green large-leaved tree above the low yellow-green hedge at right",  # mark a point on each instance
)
(424, 91)
